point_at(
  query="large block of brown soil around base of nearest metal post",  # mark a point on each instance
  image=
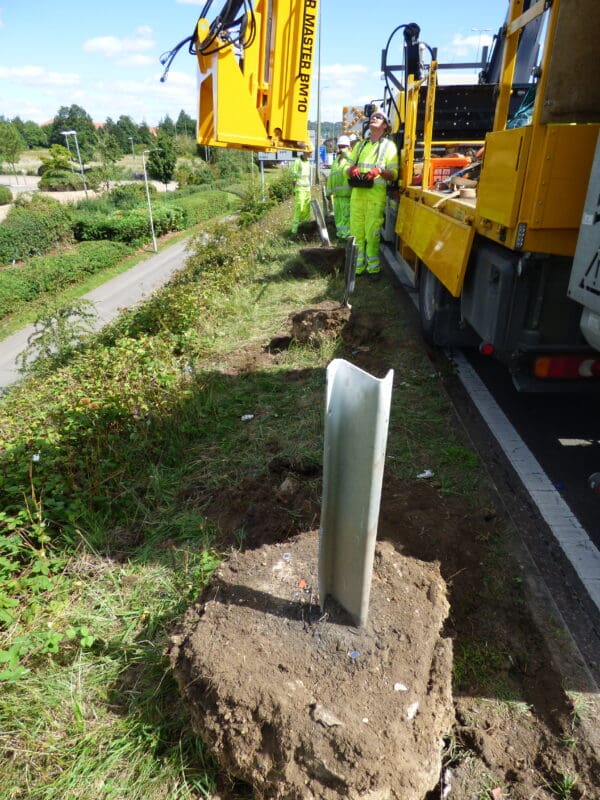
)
(303, 706)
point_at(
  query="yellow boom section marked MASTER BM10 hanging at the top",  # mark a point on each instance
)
(256, 64)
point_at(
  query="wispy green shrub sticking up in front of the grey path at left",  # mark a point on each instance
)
(58, 332)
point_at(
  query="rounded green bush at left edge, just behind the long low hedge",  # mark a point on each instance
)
(33, 227)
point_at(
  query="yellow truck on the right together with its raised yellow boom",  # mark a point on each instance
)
(495, 219)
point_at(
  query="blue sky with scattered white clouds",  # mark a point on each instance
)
(104, 56)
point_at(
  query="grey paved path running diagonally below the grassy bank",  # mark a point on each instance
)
(112, 297)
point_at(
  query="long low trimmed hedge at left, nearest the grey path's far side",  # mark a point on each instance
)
(23, 284)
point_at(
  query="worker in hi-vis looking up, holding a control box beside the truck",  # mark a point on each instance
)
(372, 164)
